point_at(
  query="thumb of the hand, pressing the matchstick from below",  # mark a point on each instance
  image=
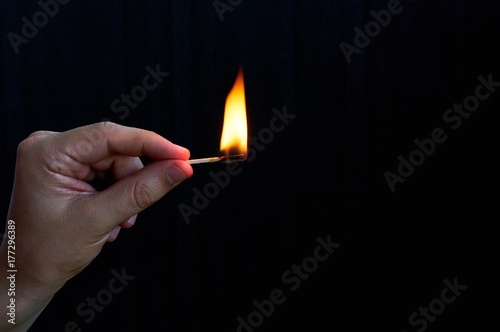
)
(138, 191)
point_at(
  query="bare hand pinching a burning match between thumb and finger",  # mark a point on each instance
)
(61, 220)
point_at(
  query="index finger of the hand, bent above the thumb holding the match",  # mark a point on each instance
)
(93, 143)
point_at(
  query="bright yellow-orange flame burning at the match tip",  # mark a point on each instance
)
(234, 131)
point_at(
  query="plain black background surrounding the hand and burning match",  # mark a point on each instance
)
(323, 175)
